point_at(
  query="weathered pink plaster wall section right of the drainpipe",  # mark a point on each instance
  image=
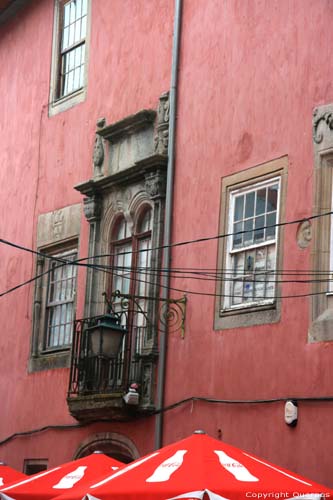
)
(251, 74)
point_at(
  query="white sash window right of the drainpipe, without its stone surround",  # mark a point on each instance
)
(251, 251)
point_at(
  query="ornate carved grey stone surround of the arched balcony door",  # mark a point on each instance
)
(129, 175)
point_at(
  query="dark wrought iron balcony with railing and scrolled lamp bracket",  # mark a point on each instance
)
(98, 379)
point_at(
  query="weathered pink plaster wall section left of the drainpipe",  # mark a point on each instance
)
(41, 159)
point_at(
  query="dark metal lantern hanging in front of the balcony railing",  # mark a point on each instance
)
(106, 336)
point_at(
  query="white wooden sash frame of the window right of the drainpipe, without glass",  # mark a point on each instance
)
(227, 305)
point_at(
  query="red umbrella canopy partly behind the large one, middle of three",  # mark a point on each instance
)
(53, 482)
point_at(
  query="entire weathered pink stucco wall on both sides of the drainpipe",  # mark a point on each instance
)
(251, 73)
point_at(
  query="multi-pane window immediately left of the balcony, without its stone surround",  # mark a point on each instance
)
(60, 302)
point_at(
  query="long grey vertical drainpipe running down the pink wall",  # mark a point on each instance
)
(168, 219)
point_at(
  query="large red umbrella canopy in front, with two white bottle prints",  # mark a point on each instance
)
(200, 466)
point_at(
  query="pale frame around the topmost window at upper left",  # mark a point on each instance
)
(58, 103)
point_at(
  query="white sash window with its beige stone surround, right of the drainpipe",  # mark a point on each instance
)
(252, 205)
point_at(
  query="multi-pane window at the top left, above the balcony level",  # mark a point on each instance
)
(73, 30)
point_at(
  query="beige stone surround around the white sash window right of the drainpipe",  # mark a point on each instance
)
(266, 311)
